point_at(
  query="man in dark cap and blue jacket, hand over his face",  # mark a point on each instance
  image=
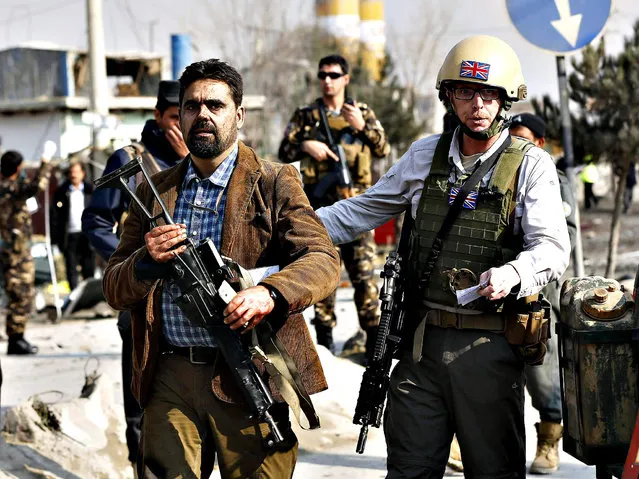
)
(161, 147)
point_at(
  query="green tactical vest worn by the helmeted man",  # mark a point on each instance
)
(478, 240)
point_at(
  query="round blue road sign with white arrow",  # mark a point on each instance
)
(561, 26)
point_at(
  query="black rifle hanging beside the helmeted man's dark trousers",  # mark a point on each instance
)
(372, 392)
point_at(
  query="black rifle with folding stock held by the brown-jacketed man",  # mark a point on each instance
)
(204, 280)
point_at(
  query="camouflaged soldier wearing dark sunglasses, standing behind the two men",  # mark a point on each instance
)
(354, 126)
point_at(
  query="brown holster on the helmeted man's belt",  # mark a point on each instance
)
(528, 328)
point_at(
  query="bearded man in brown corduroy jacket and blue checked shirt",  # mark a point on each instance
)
(256, 213)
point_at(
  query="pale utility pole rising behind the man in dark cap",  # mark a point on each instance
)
(97, 68)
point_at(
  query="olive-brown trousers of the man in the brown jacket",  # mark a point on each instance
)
(185, 426)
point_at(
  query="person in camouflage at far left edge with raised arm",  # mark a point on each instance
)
(16, 229)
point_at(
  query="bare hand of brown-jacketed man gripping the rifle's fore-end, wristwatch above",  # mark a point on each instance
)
(248, 308)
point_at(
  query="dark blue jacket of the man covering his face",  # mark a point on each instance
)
(107, 205)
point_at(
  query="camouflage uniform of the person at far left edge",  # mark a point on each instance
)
(15, 235)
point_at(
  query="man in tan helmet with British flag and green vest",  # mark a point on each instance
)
(487, 218)
